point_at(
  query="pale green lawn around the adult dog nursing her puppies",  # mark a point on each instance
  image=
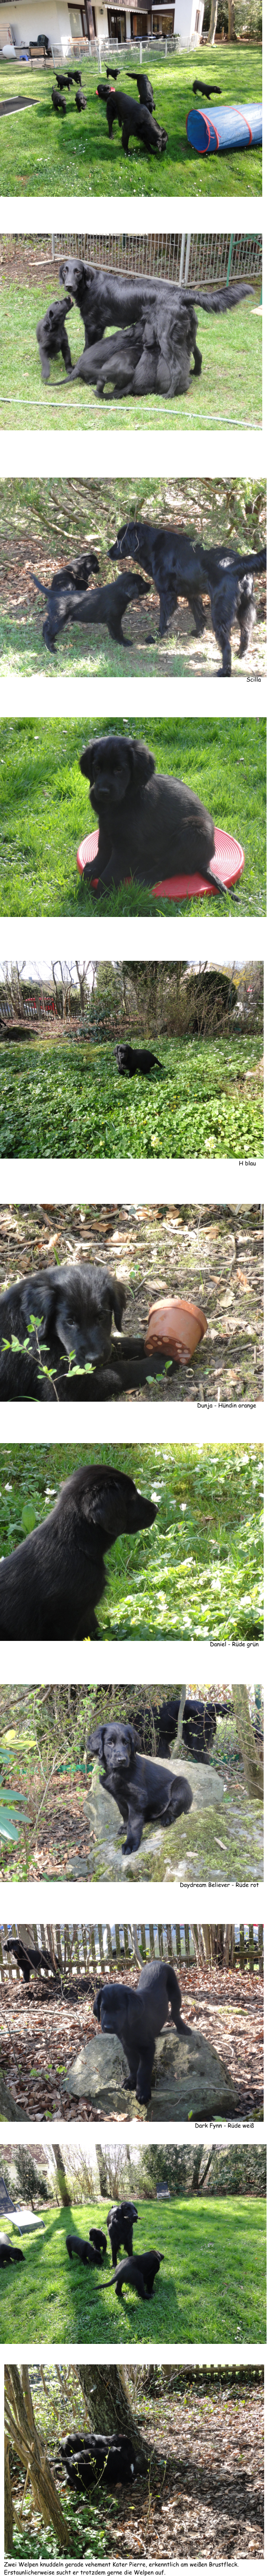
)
(227, 395)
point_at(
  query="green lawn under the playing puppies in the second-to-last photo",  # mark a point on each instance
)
(214, 2268)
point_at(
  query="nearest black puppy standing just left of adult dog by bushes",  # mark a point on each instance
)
(104, 607)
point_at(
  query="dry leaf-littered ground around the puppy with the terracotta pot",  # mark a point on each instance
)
(199, 1253)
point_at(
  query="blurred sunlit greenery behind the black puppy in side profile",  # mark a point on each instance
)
(199, 1570)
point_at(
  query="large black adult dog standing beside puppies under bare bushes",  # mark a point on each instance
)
(181, 568)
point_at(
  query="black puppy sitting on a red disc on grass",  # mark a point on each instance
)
(148, 826)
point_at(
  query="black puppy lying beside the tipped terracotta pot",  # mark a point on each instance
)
(76, 1315)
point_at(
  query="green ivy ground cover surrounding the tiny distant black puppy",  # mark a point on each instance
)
(83, 1109)
